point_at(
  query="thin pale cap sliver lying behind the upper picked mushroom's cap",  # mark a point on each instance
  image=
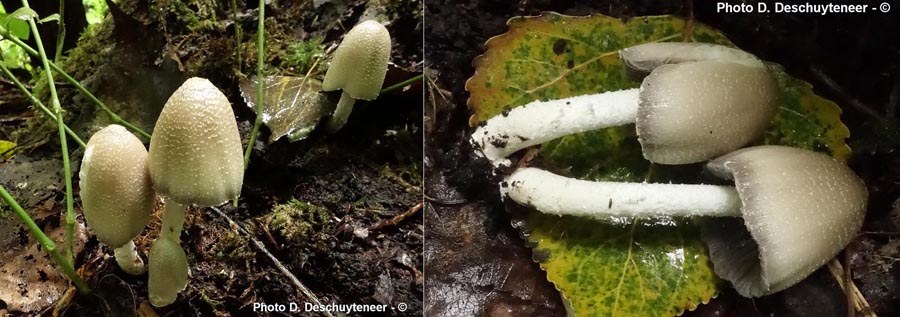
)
(646, 57)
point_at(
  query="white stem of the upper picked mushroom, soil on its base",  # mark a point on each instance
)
(542, 121)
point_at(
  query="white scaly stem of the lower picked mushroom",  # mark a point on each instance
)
(554, 194)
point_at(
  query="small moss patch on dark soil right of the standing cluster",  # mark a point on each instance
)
(299, 223)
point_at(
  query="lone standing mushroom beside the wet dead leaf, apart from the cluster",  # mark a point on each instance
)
(358, 68)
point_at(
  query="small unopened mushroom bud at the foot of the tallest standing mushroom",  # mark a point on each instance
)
(168, 272)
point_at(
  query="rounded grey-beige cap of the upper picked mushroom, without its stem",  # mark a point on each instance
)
(692, 112)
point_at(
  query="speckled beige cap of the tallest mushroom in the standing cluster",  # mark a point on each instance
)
(195, 152)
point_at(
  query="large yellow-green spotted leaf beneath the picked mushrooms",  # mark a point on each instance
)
(627, 268)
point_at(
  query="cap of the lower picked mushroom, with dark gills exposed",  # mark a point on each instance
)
(800, 207)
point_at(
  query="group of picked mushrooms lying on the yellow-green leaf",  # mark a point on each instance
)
(698, 102)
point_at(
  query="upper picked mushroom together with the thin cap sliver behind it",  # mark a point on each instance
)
(715, 100)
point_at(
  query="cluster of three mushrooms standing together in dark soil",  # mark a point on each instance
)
(194, 158)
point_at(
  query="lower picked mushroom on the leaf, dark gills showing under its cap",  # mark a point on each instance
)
(799, 208)
